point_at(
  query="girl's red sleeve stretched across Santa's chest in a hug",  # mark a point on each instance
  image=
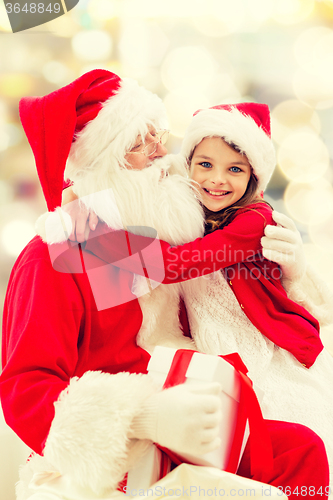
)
(237, 242)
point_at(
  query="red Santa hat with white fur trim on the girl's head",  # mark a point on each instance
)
(245, 125)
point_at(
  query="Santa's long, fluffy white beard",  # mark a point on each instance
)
(137, 199)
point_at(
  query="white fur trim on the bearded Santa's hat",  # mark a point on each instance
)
(101, 146)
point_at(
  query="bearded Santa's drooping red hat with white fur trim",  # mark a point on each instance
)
(98, 114)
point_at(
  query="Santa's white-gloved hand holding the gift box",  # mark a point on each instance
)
(185, 418)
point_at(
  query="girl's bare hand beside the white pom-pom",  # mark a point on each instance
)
(82, 219)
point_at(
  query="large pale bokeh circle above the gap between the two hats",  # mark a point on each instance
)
(188, 67)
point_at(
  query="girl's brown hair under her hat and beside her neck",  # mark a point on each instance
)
(218, 220)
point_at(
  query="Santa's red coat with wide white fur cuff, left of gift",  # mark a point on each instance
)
(52, 334)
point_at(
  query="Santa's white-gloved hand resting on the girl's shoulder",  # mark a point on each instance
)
(283, 244)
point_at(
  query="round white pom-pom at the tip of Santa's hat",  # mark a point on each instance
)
(54, 227)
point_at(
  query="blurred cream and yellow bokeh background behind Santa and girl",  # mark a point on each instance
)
(192, 53)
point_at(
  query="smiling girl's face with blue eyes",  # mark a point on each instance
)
(221, 172)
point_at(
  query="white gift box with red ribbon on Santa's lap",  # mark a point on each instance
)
(202, 368)
